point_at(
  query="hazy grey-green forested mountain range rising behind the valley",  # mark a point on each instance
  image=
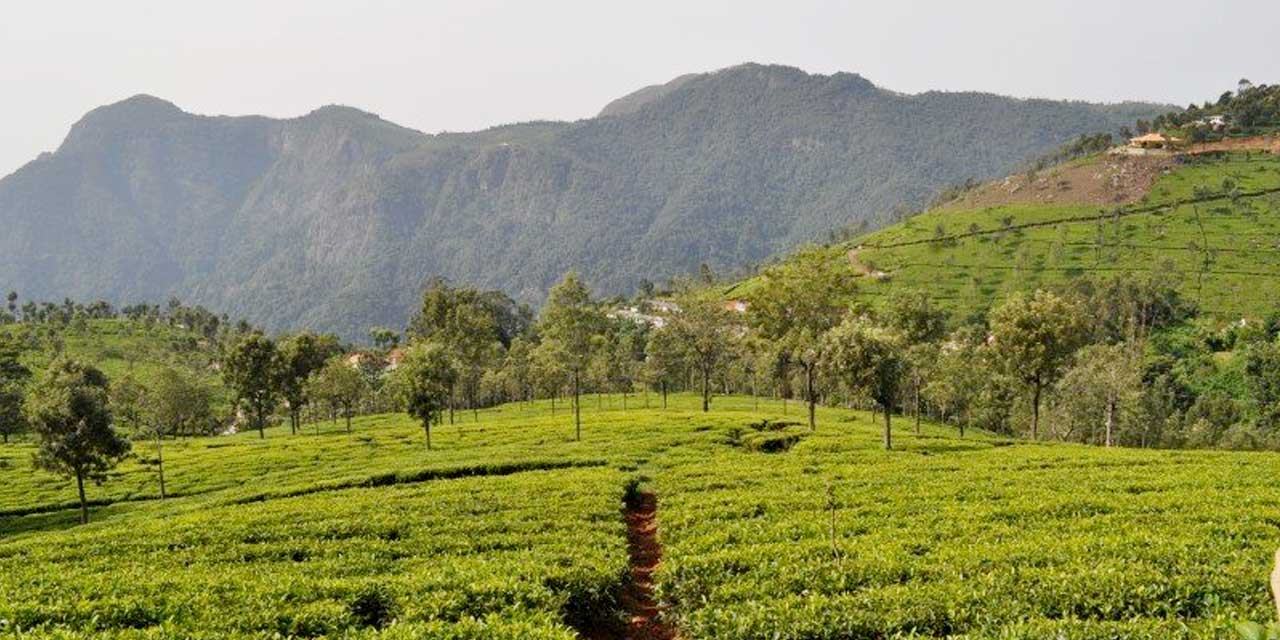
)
(335, 220)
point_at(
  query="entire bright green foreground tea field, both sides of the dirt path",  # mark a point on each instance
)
(511, 529)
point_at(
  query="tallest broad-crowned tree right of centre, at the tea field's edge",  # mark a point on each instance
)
(797, 304)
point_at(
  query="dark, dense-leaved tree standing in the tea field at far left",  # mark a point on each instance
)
(70, 413)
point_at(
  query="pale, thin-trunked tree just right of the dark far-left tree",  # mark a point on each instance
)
(175, 404)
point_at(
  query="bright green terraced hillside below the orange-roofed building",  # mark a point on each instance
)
(1222, 253)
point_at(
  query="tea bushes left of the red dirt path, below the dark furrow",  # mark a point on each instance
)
(518, 556)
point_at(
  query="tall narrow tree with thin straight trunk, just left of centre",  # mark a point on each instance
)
(569, 322)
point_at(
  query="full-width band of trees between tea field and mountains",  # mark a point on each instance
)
(1110, 363)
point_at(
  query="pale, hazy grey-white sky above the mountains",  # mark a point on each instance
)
(463, 66)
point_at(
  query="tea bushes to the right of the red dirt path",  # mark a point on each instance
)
(954, 540)
